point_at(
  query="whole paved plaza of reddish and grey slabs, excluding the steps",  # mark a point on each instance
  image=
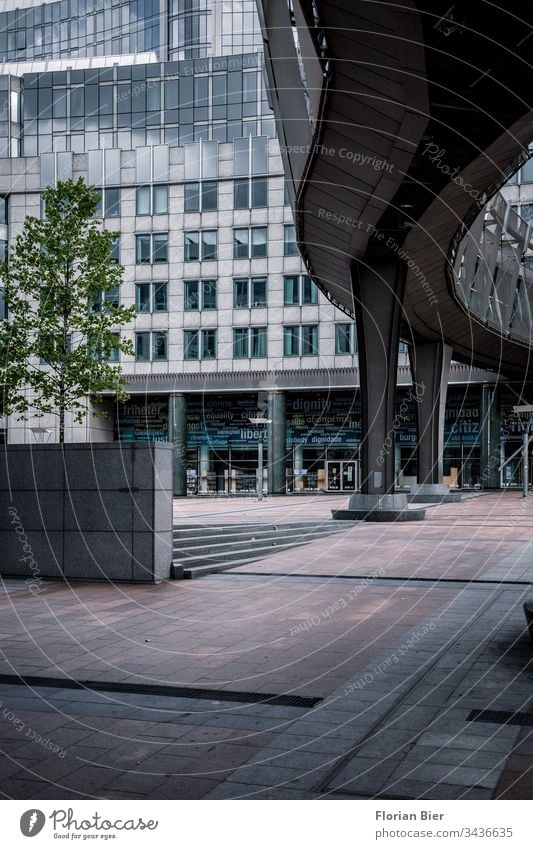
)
(385, 661)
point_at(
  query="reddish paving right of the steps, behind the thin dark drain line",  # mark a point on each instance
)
(474, 539)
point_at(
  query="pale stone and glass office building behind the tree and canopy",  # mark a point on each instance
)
(162, 106)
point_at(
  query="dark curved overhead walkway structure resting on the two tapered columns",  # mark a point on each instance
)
(397, 123)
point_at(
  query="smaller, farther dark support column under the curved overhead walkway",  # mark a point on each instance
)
(430, 369)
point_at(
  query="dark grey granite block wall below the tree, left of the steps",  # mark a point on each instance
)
(86, 511)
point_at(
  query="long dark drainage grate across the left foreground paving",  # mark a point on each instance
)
(165, 691)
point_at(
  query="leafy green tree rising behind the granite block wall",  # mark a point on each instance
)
(61, 288)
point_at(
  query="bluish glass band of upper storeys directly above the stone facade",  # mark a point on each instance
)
(126, 107)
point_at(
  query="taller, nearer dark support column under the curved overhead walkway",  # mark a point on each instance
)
(378, 293)
